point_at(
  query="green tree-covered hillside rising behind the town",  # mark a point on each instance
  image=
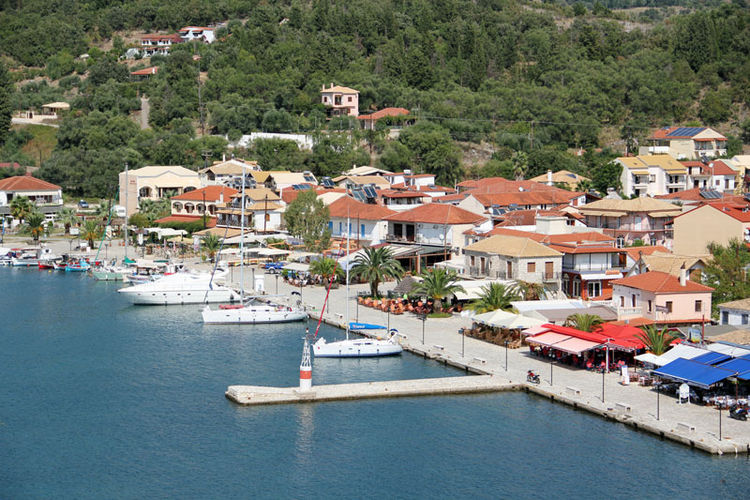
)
(535, 77)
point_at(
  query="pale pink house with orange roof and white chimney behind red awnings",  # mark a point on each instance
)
(661, 298)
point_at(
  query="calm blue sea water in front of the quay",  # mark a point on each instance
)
(99, 399)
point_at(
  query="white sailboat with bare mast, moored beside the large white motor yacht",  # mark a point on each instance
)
(253, 310)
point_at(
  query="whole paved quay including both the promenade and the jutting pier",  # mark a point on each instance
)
(494, 368)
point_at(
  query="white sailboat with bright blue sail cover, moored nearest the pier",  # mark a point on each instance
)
(359, 347)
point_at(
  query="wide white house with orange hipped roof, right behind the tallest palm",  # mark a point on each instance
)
(434, 224)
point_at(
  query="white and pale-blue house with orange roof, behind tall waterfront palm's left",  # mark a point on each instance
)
(359, 221)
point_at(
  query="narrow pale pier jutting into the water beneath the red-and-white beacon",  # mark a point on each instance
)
(250, 395)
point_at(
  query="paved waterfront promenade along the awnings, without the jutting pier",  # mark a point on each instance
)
(634, 405)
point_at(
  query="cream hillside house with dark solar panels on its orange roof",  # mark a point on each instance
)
(687, 143)
